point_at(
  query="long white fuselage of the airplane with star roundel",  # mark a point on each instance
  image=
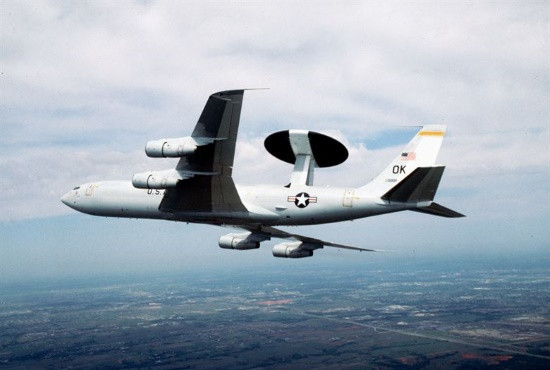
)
(265, 204)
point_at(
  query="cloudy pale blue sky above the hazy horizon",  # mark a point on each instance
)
(84, 85)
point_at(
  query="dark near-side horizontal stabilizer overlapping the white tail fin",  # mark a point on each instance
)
(419, 186)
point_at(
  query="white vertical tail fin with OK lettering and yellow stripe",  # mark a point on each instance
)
(421, 151)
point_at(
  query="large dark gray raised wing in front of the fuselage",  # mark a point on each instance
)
(218, 125)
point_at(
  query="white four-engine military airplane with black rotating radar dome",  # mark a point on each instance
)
(201, 188)
